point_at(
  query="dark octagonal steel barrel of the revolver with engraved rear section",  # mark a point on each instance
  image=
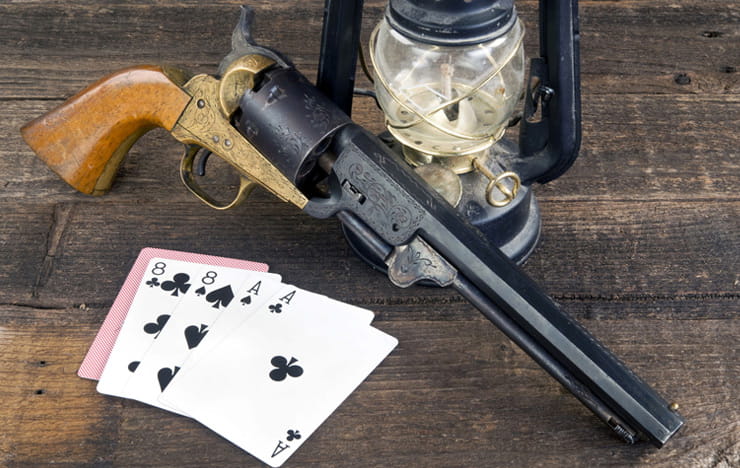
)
(372, 179)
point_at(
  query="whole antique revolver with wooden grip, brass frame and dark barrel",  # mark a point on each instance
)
(280, 132)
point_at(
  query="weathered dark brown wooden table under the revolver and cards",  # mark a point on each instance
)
(640, 243)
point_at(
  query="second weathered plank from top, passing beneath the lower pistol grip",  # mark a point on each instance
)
(695, 158)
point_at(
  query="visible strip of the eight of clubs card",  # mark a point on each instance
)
(164, 285)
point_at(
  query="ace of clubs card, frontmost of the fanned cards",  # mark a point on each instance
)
(276, 378)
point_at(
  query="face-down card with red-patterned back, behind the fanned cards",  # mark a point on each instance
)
(94, 362)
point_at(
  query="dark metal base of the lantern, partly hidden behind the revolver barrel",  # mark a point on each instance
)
(514, 228)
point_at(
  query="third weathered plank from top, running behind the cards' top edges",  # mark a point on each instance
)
(621, 251)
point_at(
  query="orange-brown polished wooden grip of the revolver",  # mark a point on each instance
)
(85, 139)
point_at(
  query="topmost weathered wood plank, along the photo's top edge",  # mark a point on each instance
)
(627, 47)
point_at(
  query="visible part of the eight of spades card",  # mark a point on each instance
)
(221, 292)
